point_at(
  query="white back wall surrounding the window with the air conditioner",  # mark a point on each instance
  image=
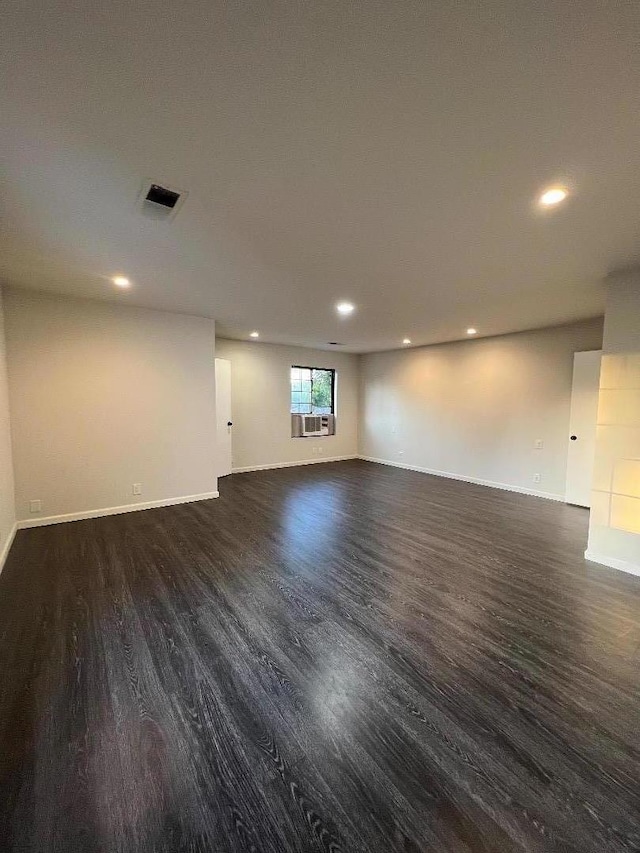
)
(261, 398)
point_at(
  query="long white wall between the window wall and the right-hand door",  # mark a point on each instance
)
(474, 409)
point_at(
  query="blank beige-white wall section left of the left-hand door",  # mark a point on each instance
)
(103, 396)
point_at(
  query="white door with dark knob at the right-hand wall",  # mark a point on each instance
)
(582, 427)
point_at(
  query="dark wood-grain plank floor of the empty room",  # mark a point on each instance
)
(337, 657)
